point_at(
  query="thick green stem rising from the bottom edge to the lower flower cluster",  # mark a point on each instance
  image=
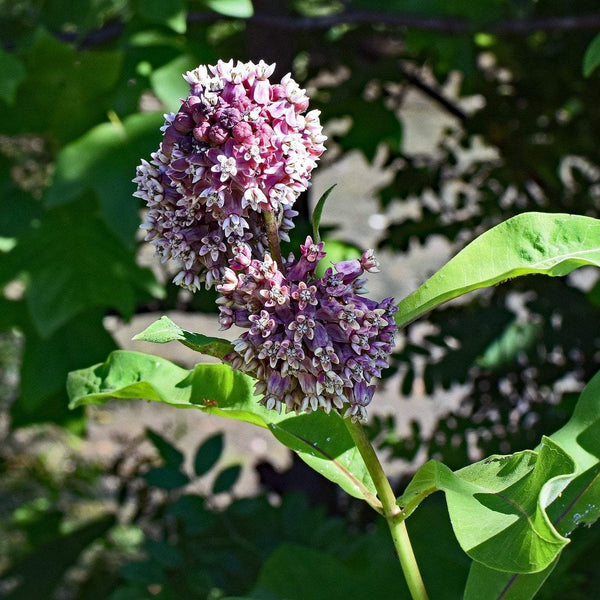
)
(391, 512)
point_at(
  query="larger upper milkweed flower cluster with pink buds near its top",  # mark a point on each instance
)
(238, 146)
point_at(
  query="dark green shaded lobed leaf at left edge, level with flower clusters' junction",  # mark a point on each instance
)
(74, 262)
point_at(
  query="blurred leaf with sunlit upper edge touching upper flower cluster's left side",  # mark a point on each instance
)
(104, 160)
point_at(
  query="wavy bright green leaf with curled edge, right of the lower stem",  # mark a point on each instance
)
(498, 506)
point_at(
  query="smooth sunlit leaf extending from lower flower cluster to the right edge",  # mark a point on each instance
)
(548, 244)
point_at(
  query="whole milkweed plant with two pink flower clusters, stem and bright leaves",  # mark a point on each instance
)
(220, 193)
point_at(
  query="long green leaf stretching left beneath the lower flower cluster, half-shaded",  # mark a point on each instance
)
(320, 440)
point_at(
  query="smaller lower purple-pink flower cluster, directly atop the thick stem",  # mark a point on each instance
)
(312, 343)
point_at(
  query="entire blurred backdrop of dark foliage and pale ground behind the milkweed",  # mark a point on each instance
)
(444, 118)
